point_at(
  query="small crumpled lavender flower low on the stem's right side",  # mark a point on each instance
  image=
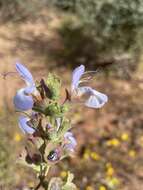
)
(70, 142)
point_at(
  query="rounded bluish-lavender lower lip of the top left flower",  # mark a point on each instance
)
(22, 101)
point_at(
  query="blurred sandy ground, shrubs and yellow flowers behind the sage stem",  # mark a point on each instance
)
(57, 35)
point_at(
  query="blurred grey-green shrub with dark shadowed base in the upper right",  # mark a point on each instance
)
(106, 31)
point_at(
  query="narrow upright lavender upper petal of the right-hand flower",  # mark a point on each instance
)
(76, 75)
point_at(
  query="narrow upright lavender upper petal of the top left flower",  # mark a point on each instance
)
(25, 74)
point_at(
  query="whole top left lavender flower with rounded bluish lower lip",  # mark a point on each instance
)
(23, 99)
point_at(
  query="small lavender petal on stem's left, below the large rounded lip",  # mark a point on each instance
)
(24, 125)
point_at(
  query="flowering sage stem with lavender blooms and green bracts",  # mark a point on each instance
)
(44, 120)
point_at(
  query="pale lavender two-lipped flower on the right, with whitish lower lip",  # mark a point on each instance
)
(92, 98)
